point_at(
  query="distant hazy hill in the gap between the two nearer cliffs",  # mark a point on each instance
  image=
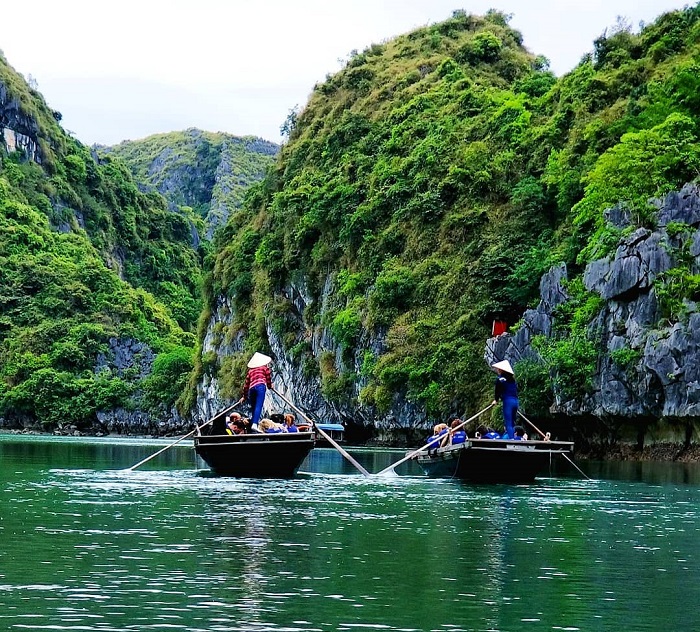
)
(206, 171)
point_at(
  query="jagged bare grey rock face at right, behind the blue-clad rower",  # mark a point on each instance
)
(656, 390)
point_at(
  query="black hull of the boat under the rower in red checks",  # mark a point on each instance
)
(255, 455)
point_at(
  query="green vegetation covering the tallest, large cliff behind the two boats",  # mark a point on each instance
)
(437, 176)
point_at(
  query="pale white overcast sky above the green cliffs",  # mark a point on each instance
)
(129, 68)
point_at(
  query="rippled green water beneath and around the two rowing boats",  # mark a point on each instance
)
(168, 547)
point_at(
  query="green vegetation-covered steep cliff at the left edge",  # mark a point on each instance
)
(85, 260)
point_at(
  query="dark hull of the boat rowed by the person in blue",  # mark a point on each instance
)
(493, 460)
